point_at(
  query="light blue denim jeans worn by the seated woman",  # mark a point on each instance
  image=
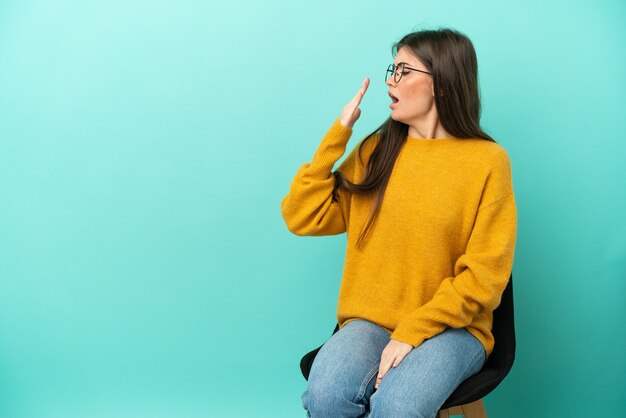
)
(343, 374)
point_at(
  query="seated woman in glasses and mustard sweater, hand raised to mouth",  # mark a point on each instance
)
(427, 202)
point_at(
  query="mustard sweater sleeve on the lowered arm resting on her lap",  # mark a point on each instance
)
(481, 273)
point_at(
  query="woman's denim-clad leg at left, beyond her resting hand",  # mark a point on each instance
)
(344, 371)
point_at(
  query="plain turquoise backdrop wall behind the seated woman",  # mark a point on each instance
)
(145, 146)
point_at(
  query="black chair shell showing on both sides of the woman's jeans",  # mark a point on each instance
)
(496, 367)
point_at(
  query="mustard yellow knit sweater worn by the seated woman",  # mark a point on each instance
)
(440, 252)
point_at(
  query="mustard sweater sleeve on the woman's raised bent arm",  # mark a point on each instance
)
(308, 208)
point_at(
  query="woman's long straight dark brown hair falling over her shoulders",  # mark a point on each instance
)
(450, 56)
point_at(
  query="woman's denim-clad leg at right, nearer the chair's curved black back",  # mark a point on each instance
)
(427, 376)
